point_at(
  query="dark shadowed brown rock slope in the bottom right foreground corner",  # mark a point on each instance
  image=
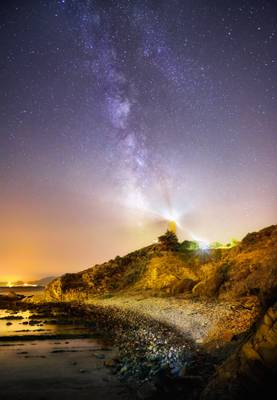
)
(252, 371)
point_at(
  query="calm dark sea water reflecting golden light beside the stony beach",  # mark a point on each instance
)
(52, 356)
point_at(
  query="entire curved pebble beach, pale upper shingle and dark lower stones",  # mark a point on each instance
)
(159, 356)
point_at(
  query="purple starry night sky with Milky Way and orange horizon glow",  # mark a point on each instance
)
(119, 115)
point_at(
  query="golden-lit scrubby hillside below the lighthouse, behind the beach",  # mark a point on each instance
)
(247, 271)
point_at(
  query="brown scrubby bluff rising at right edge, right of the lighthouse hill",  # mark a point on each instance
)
(247, 270)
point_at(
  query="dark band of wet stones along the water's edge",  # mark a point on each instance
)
(152, 356)
